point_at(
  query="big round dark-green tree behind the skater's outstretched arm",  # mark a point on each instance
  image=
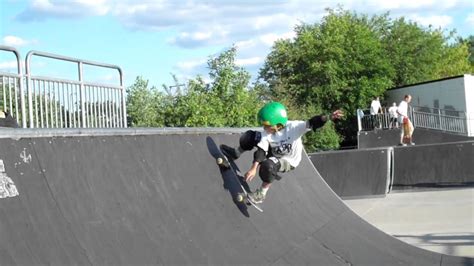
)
(338, 63)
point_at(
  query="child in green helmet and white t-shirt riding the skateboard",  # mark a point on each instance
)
(279, 145)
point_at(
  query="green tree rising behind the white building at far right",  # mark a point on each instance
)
(420, 54)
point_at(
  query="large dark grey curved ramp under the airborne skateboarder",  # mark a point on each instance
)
(161, 199)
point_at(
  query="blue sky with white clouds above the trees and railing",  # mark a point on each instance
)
(157, 38)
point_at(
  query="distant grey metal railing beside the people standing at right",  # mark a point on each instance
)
(423, 117)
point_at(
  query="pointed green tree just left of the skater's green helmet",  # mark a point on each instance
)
(227, 100)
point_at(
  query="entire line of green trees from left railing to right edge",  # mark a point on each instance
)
(343, 61)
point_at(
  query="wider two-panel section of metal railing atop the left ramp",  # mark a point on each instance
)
(60, 103)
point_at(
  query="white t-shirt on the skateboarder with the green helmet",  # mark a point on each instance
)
(286, 144)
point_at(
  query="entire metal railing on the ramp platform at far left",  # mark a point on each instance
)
(48, 102)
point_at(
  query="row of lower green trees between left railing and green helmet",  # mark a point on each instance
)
(226, 100)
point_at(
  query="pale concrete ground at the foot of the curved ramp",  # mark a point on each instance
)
(440, 220)
